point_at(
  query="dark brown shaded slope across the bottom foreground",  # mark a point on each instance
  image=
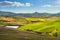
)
(15, 34)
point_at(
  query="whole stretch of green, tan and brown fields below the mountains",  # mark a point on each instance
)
(32, 29)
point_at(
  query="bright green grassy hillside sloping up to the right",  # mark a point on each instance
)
(50, 27)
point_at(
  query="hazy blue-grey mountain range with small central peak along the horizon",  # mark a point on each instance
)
(36, 14)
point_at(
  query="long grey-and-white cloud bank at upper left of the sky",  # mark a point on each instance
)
(9, 3)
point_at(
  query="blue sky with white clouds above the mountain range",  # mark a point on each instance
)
(30, 6)
